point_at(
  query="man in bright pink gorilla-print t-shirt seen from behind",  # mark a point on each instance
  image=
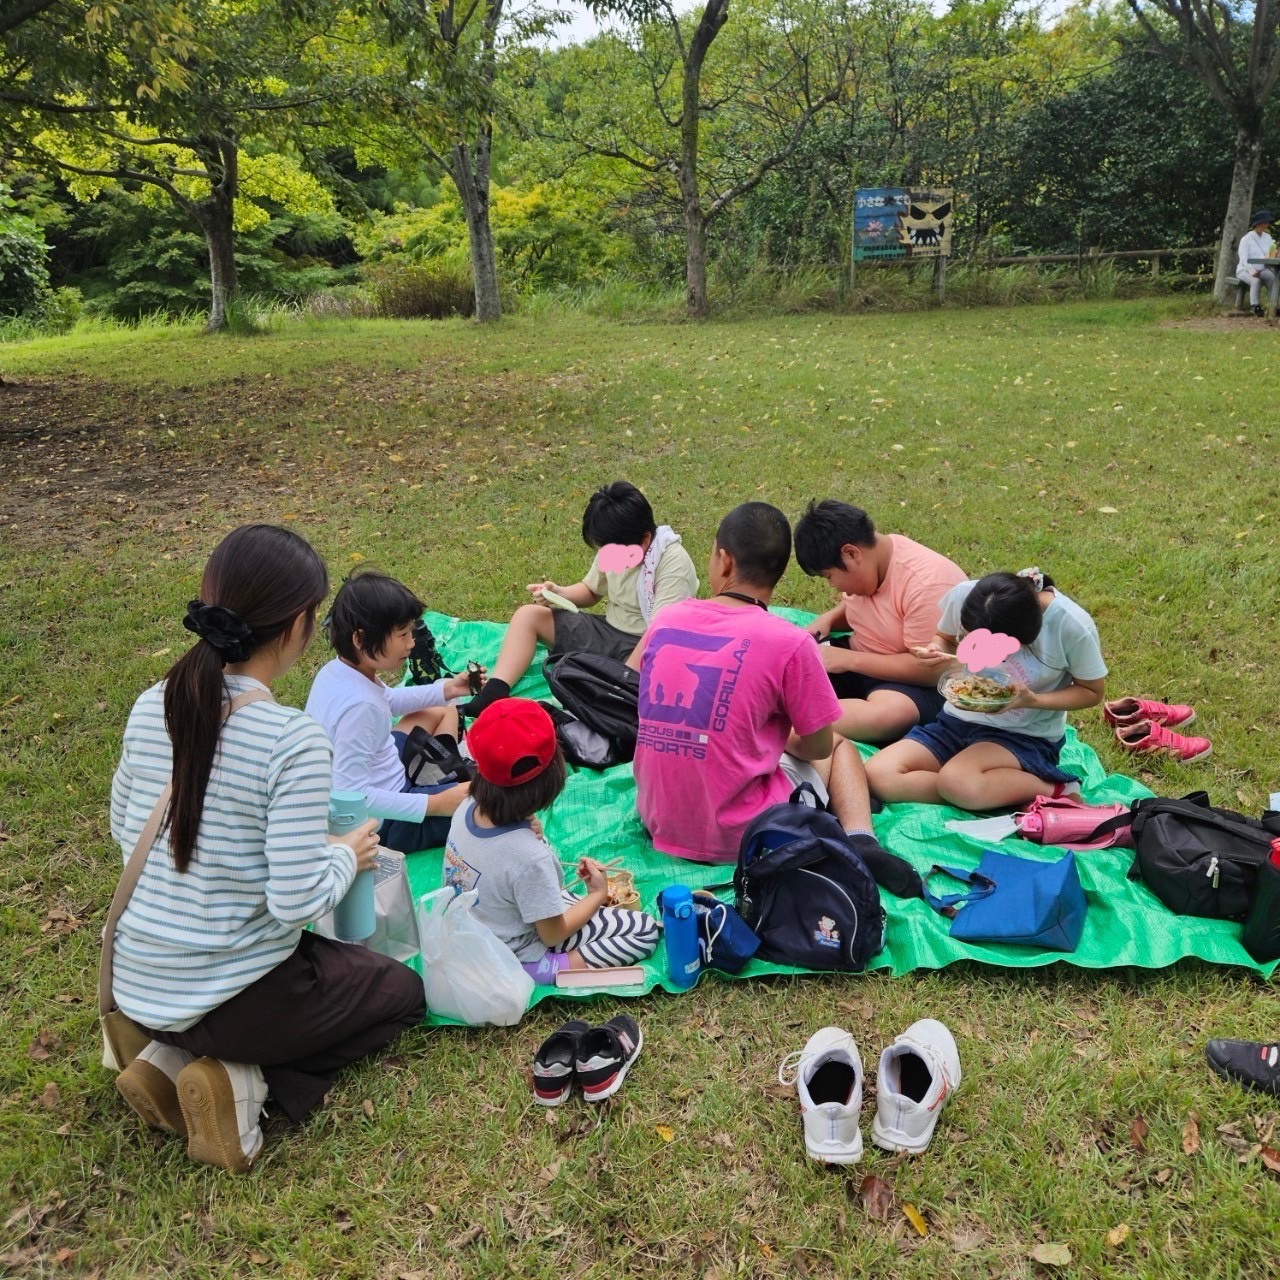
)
(735, 706)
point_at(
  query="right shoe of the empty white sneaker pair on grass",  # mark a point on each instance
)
(917, 1075)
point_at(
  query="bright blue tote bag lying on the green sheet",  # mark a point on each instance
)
(1017, 900)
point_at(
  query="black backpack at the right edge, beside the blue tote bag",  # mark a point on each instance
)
(1197, 860)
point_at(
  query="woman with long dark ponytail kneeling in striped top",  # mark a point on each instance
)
(211, 957)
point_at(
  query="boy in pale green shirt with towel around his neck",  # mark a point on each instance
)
(639, 568)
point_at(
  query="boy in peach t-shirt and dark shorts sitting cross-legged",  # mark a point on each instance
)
(890, 602)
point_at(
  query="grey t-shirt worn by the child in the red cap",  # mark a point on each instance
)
(516, 875)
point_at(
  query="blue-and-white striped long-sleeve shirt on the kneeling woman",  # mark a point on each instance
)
(262, 870)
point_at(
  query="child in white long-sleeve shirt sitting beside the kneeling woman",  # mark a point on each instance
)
(372, 629)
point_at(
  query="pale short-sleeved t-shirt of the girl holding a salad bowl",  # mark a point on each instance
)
(1067, 648)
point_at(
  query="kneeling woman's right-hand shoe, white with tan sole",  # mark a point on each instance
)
(222, 1104)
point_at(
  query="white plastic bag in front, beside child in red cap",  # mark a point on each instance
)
(468, 972)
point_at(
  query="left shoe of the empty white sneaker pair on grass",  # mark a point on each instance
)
(829, 1078)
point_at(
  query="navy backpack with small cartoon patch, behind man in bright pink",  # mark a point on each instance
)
(806, 893)
